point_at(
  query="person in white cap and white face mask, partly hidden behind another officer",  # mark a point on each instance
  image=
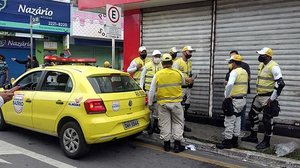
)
(145, 80)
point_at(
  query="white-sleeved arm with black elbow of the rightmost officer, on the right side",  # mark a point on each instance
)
(279, 83)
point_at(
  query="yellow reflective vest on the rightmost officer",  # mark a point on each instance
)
(265, 82)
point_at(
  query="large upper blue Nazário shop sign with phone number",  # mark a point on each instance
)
(54, 16)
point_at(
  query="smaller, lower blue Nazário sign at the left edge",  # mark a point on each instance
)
(15, 42)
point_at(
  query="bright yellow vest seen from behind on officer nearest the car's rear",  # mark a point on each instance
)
(168, 84)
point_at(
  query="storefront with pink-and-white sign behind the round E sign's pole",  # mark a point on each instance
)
(89, 39)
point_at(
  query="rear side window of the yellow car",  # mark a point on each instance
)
(57, 82)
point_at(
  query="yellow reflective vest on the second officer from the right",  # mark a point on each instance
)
(240, 86)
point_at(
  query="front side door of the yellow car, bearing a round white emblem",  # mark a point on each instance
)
(19, 110)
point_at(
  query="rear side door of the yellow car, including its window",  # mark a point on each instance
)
(50, 100)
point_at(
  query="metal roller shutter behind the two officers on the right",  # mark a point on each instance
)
(248, 26)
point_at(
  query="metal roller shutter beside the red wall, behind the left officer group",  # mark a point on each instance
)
(177, 26)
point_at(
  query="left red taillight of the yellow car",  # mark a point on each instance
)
(94, 106)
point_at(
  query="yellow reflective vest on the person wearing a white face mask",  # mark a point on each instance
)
(151, 69)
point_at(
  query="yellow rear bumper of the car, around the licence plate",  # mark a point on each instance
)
(103, 128)
